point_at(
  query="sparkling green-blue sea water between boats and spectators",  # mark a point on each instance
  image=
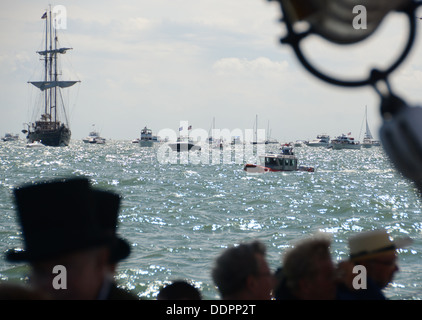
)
(179, 216)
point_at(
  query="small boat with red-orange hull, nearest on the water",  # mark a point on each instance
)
(284, 161)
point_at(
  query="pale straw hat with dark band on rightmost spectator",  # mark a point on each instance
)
(367, 244)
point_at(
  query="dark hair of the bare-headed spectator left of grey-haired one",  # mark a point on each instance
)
(234, 266)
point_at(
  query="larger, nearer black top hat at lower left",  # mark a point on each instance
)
(58, 217)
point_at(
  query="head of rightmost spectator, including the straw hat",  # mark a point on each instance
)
(377, 253)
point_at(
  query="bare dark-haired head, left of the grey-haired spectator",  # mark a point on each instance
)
(242, 272)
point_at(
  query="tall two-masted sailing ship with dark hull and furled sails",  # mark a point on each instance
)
(49, 129)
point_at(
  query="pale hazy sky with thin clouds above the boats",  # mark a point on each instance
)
(156, 63)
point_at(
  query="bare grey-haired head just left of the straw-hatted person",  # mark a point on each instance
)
(309, 271)
